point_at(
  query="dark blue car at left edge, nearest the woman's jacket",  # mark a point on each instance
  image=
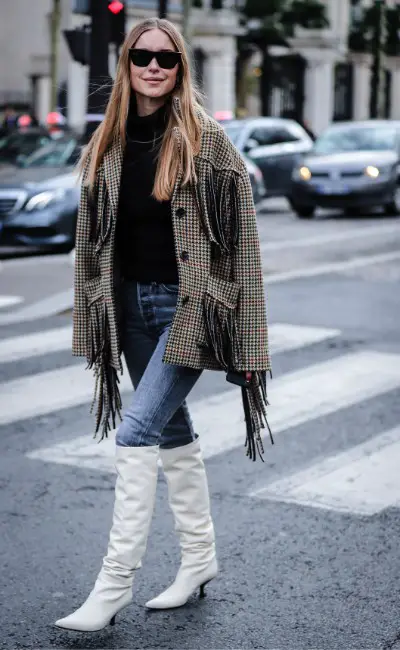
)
(39, 199)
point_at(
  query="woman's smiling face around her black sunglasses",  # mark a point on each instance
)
(153, 81)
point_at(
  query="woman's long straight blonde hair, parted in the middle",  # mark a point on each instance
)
(181, 140)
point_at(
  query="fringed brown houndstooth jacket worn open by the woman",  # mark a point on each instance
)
(220, 321)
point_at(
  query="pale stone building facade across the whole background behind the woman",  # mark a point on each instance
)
(321, 77)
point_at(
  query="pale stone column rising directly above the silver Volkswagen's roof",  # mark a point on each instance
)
(319, 91)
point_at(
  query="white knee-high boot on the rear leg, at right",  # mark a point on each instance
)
(189, 500)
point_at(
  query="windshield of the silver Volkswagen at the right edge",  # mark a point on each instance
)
(350, 138)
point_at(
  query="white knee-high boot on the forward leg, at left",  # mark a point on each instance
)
(135, 491)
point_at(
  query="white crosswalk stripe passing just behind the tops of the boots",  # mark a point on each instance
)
(296, 398)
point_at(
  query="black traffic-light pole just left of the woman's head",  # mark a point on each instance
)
(99, 79)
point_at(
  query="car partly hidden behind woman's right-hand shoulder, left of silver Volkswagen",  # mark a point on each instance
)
(274, 144)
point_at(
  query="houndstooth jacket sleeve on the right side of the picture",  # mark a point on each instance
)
(247, 269)
